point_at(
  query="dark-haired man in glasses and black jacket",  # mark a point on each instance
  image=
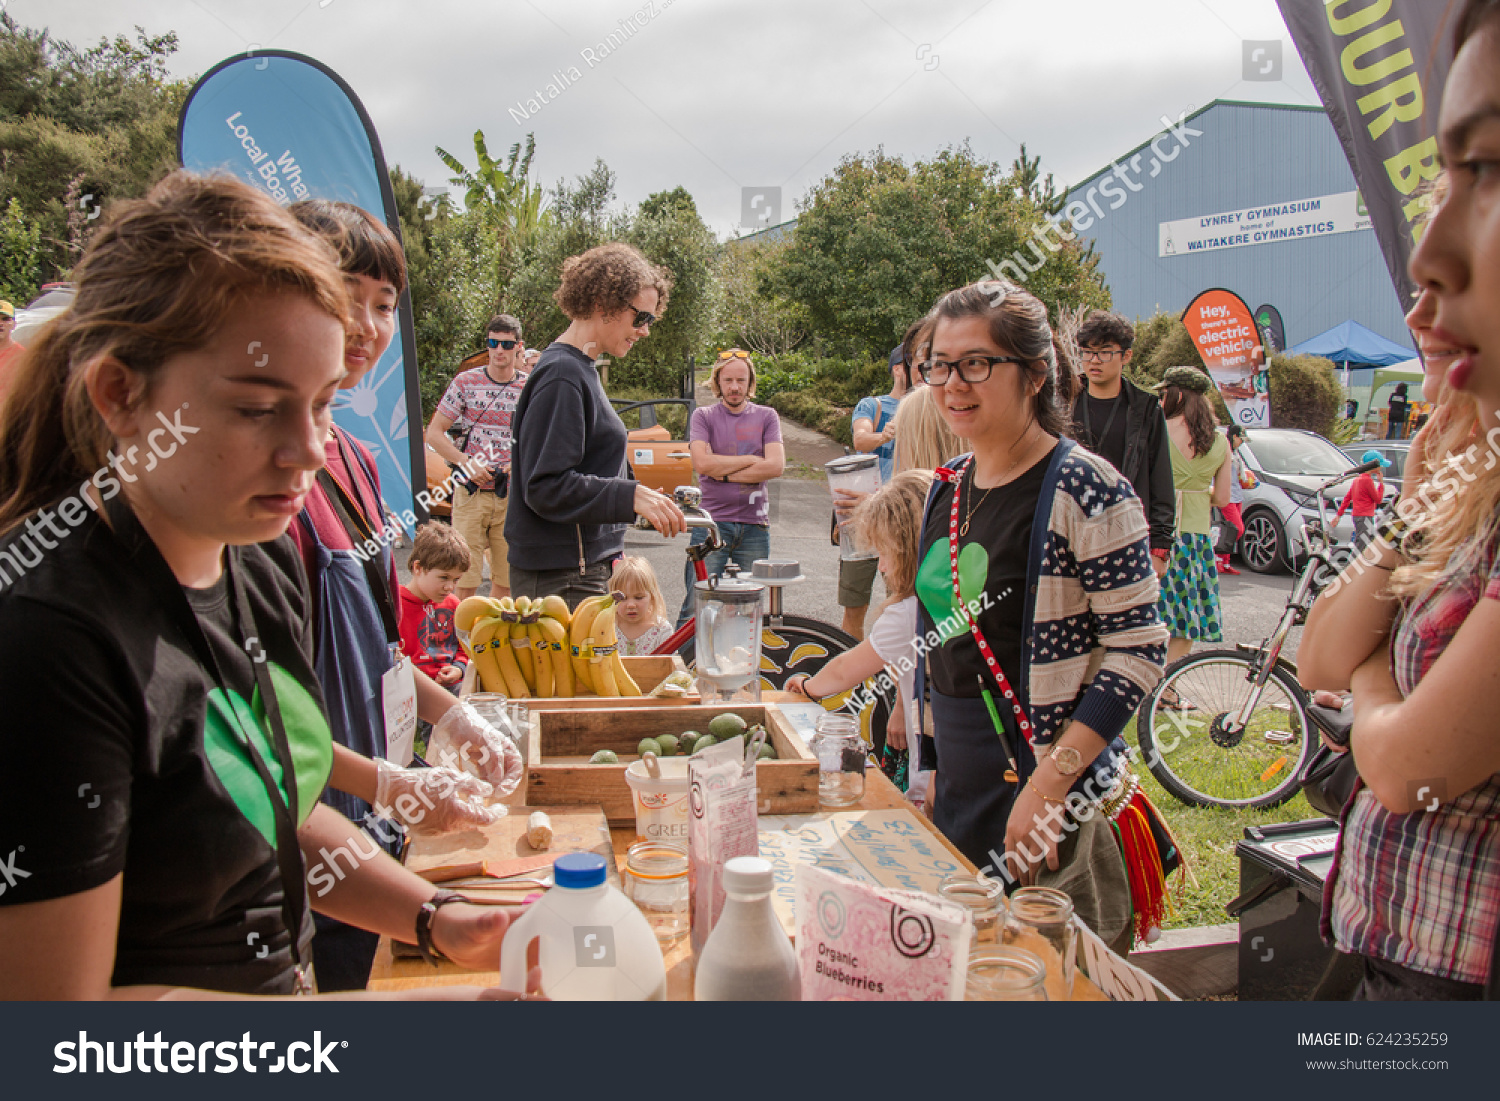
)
(1123, 424)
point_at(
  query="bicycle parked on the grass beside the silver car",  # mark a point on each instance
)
(1231, 728)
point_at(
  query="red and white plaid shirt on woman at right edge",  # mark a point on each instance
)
(1423, 890)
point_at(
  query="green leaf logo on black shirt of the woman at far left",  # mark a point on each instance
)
(230, 719)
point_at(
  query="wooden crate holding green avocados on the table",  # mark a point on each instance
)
(563, 742)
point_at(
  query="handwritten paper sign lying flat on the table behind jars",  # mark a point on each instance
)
(886, 848)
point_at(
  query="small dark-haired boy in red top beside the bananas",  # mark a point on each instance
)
(428, 637)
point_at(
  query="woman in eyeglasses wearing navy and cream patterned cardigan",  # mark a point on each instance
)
(1036, 559)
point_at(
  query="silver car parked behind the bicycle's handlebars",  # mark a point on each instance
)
(1289, 464)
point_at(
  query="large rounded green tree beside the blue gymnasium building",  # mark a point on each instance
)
(878, 242)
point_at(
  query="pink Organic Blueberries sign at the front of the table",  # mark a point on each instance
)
(857, 943)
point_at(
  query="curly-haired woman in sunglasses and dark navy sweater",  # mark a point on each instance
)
(572, 493)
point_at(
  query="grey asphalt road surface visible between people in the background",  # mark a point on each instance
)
(800, 515)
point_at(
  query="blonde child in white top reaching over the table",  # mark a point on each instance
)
(890, 520)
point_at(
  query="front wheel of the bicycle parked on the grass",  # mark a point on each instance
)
(1198, 755)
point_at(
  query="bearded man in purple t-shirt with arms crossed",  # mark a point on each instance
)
(737, 449)
